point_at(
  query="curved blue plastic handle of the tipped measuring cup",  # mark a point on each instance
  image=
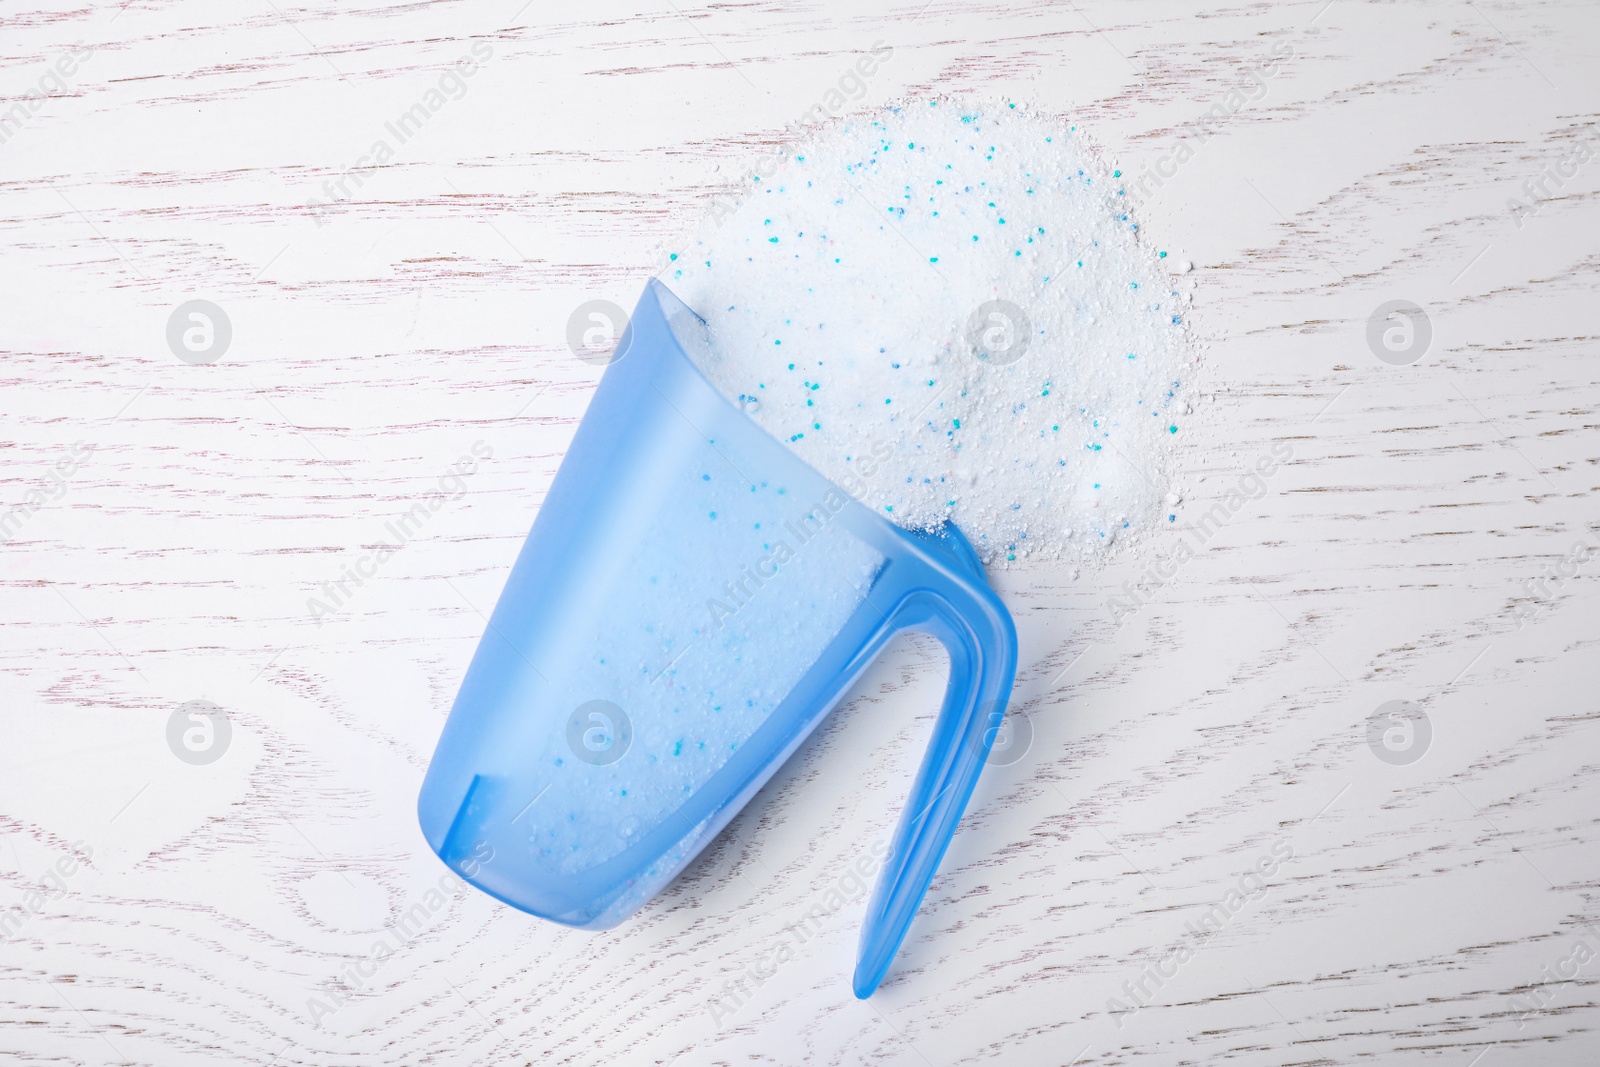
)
(978, 634)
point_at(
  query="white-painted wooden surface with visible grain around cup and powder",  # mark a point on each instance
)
(1426, 909)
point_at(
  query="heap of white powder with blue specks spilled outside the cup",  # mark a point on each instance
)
(948, 311)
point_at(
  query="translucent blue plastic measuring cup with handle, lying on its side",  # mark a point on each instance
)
(689, 607)
